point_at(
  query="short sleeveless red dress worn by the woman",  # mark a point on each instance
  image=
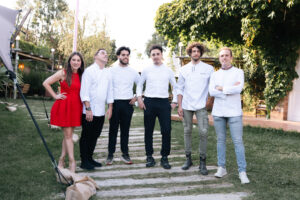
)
(67, 112)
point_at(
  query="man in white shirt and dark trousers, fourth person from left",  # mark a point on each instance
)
(156, 104)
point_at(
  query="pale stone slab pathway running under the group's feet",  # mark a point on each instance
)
(121, 181)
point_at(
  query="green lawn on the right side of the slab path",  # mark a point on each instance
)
(273, 161)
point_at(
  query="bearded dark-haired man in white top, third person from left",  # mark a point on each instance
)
(124, 78)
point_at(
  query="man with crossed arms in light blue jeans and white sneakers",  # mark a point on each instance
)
(226, 86)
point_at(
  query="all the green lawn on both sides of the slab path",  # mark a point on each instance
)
(273, 158)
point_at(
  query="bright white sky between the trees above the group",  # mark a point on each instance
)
(129, 22)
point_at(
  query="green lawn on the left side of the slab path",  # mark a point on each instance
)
(26, 169)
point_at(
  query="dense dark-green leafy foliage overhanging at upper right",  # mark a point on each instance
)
(267, 30)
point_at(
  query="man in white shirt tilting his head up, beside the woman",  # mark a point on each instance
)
(96, 91)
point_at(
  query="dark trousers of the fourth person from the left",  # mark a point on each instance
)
(157, 107)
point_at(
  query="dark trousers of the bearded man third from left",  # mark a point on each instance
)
(122, 114)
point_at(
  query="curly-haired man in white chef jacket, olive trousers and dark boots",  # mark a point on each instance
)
(192, 91)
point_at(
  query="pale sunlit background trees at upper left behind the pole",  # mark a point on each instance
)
(51, 24)
